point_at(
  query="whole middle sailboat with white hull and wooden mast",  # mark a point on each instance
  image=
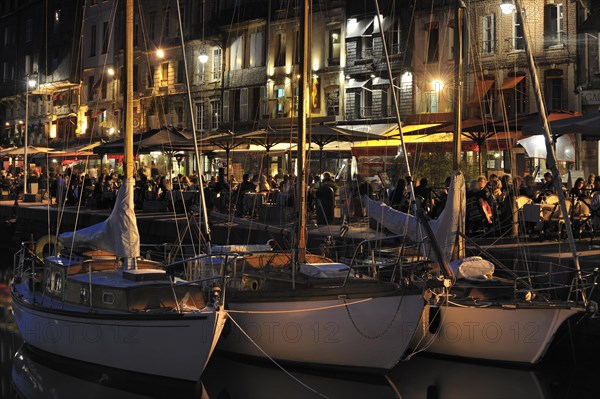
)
(299, 308)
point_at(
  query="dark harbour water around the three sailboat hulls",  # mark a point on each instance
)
(569, 370)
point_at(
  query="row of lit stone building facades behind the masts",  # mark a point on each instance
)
(243, 56)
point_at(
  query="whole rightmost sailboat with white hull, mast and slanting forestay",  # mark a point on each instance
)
(481, 315)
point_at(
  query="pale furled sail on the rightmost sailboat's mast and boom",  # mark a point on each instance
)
(445, 227)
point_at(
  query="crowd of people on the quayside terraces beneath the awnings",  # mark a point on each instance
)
(490, 201)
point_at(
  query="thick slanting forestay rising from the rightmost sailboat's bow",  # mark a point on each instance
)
(551, 154)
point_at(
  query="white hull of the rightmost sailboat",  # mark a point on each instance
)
(516, 335)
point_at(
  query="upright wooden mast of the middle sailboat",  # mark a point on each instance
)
(300, 238)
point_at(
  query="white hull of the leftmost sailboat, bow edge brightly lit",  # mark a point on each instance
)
(174, 347)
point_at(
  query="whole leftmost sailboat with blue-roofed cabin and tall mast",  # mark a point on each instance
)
(98, 302)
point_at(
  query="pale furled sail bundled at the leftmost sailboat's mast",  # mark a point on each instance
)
(117, 234)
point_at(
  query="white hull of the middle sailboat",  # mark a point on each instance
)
(371, 335)
